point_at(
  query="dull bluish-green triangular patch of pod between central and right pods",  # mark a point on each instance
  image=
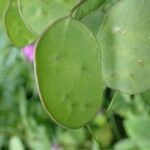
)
(93, 20)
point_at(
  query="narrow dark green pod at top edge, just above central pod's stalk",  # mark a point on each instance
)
(87, 7)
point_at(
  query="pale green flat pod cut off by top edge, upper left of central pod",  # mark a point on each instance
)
(38, 14)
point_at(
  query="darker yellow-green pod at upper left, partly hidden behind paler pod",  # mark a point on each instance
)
(15, 27)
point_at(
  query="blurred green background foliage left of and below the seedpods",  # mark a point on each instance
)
(123, 122)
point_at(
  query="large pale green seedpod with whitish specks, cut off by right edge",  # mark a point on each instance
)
(124, 40)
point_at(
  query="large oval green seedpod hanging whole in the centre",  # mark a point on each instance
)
(68, 70)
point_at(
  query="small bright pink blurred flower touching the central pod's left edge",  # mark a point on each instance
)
(28, 52)
